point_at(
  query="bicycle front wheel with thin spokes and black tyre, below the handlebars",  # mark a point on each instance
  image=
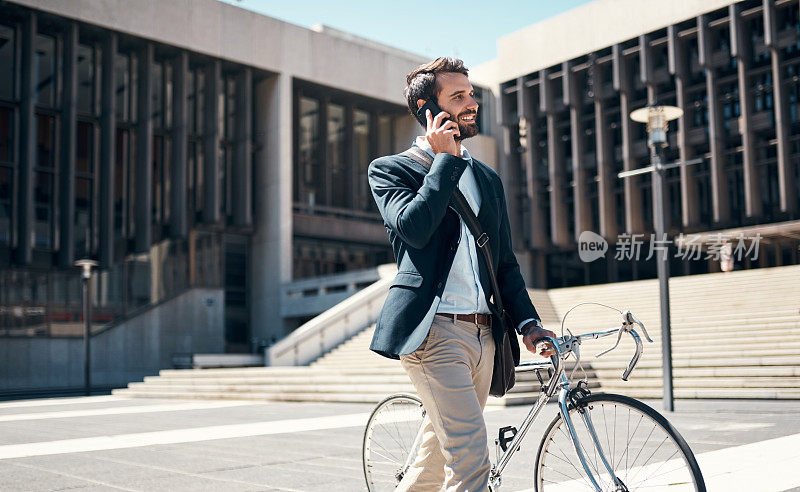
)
(644, 451)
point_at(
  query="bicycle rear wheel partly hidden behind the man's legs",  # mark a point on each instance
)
(390, 440)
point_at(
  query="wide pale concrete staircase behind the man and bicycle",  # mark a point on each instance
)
(735, 335)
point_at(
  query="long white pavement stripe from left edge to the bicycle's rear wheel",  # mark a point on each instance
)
(121, 441)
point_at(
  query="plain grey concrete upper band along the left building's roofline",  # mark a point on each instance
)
(323, 55)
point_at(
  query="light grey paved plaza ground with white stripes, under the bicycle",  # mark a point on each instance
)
(112, 443)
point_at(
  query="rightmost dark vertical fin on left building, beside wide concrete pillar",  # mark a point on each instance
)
(243, 167)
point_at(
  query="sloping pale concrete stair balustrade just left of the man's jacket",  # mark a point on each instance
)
(332, 327)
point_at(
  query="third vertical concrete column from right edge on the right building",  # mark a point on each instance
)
(719, 185)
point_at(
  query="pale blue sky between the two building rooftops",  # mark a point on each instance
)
(468, 29)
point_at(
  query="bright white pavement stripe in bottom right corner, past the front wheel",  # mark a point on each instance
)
(766, 466)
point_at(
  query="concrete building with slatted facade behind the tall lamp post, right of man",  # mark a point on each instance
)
(566, 87)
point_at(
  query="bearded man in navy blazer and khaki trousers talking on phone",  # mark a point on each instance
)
(436, 318)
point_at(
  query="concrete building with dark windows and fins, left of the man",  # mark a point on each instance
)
(206, 155)
